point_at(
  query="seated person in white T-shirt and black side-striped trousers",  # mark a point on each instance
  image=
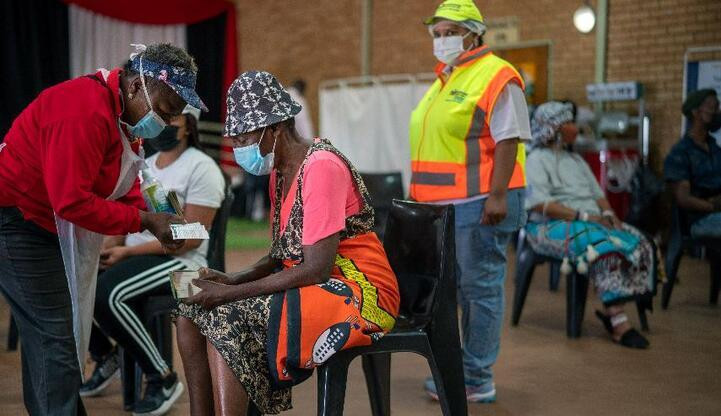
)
(137, 266)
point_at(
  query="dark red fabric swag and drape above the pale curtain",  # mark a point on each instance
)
(174, 12)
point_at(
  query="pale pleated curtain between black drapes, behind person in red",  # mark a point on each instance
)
(98, 41)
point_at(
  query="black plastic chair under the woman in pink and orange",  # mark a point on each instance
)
(419, 241)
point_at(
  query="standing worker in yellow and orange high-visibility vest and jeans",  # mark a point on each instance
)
(466, 140)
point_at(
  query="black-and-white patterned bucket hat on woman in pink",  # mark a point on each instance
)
(256, 100)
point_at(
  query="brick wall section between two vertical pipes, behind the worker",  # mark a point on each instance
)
(401, 42)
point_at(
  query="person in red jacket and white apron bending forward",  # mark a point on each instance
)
(68, 175)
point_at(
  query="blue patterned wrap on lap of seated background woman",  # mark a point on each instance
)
(626, 264)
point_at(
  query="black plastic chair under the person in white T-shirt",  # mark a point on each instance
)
(156, 310)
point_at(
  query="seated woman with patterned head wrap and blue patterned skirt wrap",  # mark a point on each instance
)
(572, 220)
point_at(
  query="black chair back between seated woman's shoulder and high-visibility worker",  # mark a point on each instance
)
(383, 189)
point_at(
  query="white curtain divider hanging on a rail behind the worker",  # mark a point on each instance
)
(367, 119)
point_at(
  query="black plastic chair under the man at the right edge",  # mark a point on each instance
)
(680, 239)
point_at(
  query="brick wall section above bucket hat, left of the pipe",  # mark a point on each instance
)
(315, 40)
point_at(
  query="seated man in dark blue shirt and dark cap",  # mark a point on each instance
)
(693, 166)
